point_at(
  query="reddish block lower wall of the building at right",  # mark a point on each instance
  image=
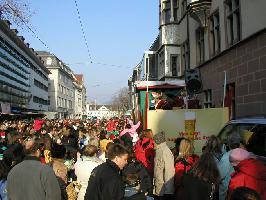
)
(245, 65)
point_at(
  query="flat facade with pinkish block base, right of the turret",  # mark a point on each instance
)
(226, 41)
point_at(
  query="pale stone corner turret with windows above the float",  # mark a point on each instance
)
(169, 45)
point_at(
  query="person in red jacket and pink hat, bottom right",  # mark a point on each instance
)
(249, 172)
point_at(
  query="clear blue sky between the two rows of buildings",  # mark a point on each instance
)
(118, 32)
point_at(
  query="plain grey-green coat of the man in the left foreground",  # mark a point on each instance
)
(32, 180)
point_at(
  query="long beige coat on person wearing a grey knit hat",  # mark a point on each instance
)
(164, 170)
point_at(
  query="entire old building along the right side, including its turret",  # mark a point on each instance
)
(224, 40)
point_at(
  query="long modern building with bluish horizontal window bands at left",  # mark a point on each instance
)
(24, 78)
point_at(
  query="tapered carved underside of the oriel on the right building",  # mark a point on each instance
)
(200, 10)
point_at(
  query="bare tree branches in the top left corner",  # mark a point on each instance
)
(17, 11)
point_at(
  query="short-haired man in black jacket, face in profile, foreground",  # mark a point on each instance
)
(106, 181)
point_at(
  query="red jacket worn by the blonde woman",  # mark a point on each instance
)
(183, 166)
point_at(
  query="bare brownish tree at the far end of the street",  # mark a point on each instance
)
(120, 100)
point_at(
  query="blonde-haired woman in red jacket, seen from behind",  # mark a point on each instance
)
(184, 161)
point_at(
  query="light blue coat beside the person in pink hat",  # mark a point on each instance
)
(226, 169)
